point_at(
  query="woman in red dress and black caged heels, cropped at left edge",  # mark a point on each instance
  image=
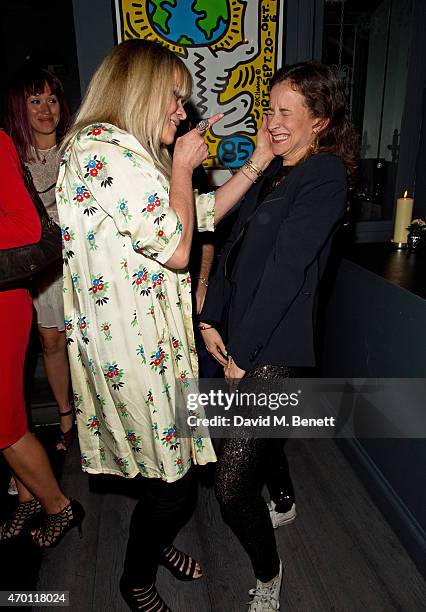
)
(38, 489)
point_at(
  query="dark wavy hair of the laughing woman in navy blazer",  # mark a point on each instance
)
(325, 98)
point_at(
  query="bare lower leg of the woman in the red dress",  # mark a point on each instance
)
(29, 463)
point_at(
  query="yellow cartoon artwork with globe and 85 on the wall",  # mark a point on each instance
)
(231, 47)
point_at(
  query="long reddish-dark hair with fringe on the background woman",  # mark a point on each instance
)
(28, 81)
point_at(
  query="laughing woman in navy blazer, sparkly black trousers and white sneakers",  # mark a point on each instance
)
(264, 292)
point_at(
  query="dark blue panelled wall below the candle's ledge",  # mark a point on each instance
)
(376, 329)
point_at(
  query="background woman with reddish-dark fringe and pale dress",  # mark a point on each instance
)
(37, 117)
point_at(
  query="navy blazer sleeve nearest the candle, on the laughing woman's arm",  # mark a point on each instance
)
(317, 209)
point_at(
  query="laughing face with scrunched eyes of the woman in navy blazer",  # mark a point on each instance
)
(291, 125)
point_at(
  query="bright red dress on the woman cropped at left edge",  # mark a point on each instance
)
(19, 225)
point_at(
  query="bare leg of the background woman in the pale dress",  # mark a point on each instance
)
(55, 358)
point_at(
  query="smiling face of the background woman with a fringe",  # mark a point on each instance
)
(44, 113)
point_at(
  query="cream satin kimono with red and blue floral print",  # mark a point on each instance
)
(128, 318)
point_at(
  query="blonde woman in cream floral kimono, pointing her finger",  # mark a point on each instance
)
(127, 216)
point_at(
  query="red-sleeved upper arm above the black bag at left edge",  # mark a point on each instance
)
(19, 221)
